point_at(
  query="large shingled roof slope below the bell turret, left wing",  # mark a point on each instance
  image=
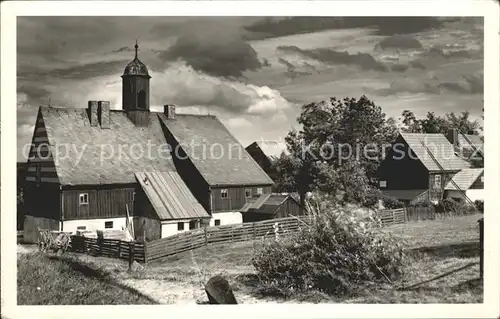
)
(71, 127)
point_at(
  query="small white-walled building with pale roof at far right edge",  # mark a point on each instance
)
(470, 181)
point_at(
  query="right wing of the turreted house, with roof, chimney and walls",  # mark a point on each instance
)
(217, 169)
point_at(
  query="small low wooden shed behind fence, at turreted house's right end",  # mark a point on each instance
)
(270, 206)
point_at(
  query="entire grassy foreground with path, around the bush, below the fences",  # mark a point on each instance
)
(444, 270)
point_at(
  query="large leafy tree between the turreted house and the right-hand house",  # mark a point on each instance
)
(338, 148)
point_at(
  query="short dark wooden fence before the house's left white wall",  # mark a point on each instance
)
(113, 248)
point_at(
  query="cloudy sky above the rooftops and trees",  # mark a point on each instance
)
(253, 72)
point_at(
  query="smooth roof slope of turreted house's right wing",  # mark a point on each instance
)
(228, 163)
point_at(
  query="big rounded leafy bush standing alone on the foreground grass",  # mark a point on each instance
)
(336, 254)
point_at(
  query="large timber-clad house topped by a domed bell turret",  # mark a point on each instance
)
(87, 167)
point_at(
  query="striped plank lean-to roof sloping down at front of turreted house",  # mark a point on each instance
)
(169, 196)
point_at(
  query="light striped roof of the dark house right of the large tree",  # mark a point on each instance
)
(442, 151)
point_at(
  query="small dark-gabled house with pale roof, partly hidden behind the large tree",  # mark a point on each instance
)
(263, 152)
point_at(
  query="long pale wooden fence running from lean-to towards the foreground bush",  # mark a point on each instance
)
(220, 234)
